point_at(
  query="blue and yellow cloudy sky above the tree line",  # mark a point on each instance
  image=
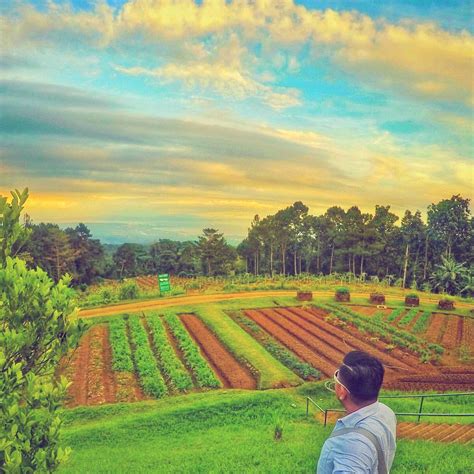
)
(150, 119)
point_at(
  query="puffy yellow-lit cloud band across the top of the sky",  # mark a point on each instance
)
(421, 59)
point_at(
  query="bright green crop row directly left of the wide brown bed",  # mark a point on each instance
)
(205, 377)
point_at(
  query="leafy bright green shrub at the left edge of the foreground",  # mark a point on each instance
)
(36, 330)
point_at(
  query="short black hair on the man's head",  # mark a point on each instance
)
(362, 374)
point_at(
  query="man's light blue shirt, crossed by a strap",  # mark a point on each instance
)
(353, 452)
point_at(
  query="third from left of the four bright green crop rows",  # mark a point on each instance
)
(169, 361)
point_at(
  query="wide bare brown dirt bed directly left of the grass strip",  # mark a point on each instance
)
(228, 369)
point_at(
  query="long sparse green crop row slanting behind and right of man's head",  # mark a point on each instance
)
(389, 333)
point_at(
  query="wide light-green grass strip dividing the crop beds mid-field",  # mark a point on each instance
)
(272, 373)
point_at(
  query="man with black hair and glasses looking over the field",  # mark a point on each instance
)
(363, 441)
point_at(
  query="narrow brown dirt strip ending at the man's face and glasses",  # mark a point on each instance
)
(292, 343)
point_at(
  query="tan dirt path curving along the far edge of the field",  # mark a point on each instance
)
(198, 299)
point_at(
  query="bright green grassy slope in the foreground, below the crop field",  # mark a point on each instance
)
(224, 431)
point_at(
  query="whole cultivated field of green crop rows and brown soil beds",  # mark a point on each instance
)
(154, 354)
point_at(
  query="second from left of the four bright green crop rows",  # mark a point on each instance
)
(151, 379)
